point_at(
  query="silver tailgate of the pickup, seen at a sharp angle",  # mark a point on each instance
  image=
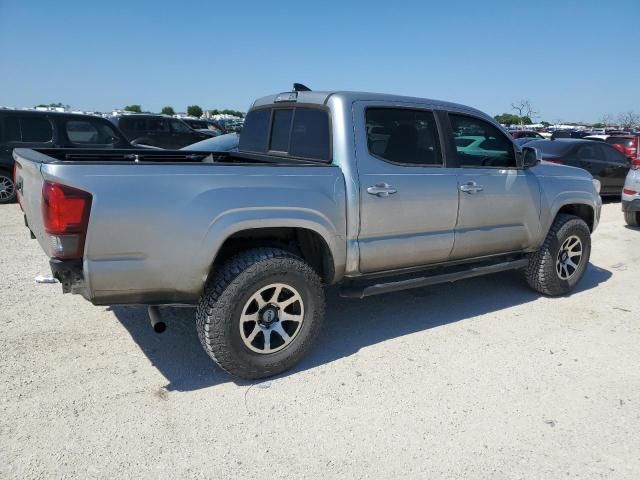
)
(29, 183)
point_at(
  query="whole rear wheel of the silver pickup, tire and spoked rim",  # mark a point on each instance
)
(260, 313)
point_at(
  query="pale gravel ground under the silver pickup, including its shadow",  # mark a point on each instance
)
(479, 379)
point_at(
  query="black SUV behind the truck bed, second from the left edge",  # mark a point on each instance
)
(158, 130)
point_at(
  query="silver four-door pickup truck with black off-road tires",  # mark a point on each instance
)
(376, 193)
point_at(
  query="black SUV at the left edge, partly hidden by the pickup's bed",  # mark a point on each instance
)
(36, 129)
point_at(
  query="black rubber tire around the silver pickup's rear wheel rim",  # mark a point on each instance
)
(218, 317)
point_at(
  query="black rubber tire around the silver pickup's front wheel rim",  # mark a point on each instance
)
(541, 272)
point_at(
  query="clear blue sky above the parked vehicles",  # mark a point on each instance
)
(574, 60)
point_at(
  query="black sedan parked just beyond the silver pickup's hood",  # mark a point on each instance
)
(603, 161)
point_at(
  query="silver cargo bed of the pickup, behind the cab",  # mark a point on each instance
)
(158, 220)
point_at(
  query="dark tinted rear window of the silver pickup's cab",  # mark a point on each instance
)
(292, 131)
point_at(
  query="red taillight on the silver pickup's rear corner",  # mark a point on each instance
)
(65, 213)
